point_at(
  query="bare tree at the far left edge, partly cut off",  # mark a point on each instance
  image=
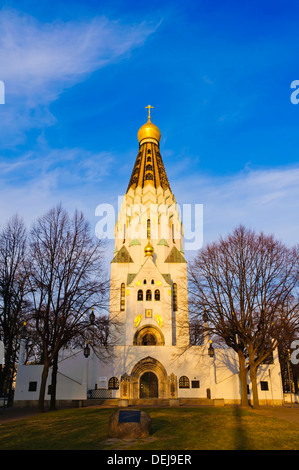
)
(13, 306)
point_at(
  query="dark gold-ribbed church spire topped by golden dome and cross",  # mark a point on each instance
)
(149, 167)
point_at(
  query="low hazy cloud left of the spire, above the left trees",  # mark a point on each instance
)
(41, 179)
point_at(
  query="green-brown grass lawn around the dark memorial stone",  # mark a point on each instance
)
(172, 429)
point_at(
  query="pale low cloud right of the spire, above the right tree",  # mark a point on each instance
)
(264, 200)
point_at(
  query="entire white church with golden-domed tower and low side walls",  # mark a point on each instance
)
(151, 356)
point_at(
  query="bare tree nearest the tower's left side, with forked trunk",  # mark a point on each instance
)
(67, 280)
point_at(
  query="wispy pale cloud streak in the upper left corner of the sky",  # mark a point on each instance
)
(41, 60)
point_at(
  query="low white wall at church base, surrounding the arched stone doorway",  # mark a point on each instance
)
(219, 374)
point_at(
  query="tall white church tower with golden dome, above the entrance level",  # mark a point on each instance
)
(149, 272)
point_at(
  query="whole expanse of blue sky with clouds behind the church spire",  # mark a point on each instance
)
(78, 75)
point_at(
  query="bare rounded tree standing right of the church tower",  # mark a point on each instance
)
(245, 283)
